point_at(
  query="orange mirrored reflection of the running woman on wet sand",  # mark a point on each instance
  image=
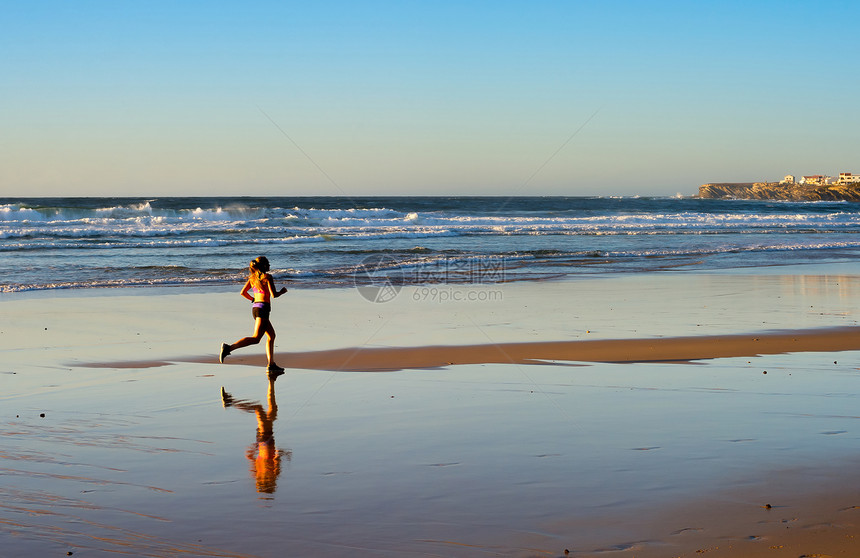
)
(264, 456)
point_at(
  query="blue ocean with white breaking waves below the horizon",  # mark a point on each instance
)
(320, 242)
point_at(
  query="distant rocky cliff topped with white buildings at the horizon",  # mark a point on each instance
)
(777, 191)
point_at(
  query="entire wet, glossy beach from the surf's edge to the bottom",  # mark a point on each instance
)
(652, 415)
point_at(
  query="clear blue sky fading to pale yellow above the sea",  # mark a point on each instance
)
(140, 98)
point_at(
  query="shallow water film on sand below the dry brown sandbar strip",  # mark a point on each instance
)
(444, 462)
